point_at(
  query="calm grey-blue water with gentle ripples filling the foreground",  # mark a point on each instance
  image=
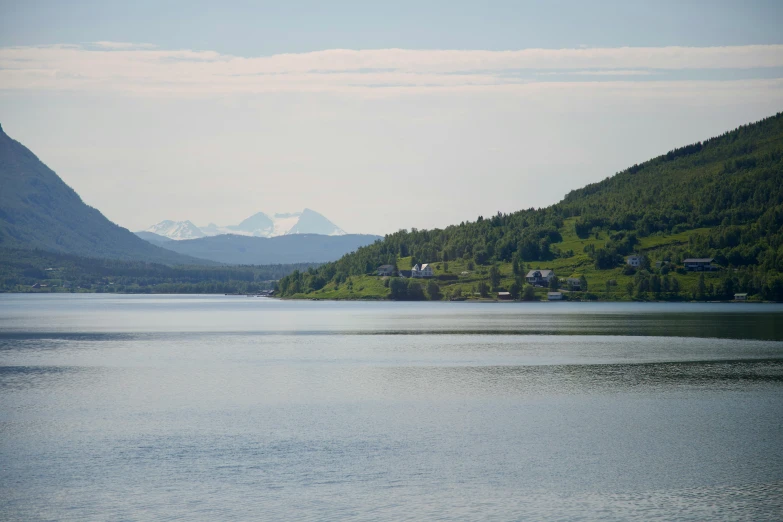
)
(234, 408)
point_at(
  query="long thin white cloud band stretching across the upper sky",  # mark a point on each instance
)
(143, 69)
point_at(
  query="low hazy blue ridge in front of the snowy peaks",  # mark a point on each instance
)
(293, 248)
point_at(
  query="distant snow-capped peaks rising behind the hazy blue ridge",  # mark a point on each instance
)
(258, 225)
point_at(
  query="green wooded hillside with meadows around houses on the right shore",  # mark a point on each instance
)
(721, 198)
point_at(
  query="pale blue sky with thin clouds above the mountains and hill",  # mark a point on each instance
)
(380, 115)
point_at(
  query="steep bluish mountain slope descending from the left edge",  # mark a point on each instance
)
(38, 210)
